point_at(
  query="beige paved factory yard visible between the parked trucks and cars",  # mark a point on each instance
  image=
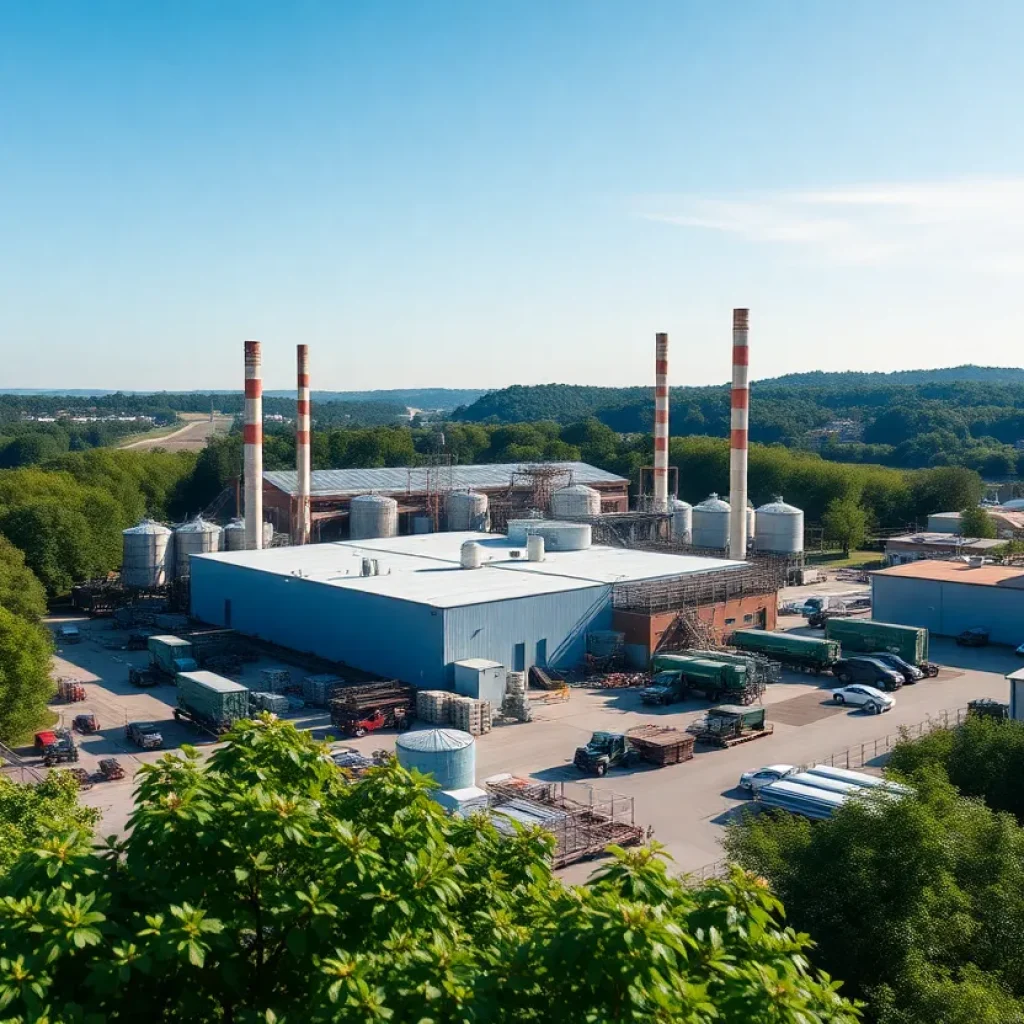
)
(687, 805)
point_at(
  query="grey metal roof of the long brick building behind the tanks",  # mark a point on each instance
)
(403, 481)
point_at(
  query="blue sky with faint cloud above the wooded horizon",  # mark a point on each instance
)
(487, 193)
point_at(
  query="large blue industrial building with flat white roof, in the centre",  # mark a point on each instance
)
(405, 608)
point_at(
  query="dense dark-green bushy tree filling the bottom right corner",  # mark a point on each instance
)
(918, 903)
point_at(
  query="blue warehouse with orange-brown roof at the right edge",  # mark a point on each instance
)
(953, 596)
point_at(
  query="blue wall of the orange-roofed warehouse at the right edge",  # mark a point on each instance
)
(949, 609)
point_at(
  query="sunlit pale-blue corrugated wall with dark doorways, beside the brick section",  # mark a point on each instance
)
(558, 622)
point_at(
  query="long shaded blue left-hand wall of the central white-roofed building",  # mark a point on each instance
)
(376, 634)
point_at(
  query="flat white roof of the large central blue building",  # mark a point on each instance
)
(425, 569)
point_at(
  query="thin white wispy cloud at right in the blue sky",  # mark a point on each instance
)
(971, 226)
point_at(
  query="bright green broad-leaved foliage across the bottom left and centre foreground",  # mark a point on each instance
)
(261, 886)
